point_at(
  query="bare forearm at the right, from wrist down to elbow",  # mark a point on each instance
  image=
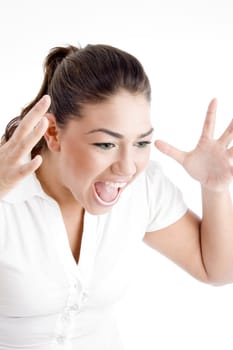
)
(217, 236)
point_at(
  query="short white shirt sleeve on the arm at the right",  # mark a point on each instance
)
(166, 204)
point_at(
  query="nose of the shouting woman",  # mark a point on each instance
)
(125, 165)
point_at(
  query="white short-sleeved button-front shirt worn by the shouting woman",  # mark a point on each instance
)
(47, 300)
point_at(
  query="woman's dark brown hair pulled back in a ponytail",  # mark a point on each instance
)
(76, 76)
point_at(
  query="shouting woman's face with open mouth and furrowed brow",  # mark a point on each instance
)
(102, 152)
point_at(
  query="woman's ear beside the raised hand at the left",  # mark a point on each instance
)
(52, 134)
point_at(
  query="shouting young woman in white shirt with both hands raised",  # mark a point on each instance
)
(78, 191)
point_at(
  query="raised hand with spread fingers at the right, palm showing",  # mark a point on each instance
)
(211, 161)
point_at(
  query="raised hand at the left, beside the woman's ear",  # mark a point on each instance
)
(14, 152)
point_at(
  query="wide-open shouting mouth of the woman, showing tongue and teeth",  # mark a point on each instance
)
(107, 193)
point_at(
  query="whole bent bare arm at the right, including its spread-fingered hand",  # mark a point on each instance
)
(204, 248)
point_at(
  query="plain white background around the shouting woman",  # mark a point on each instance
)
(186, 48)
